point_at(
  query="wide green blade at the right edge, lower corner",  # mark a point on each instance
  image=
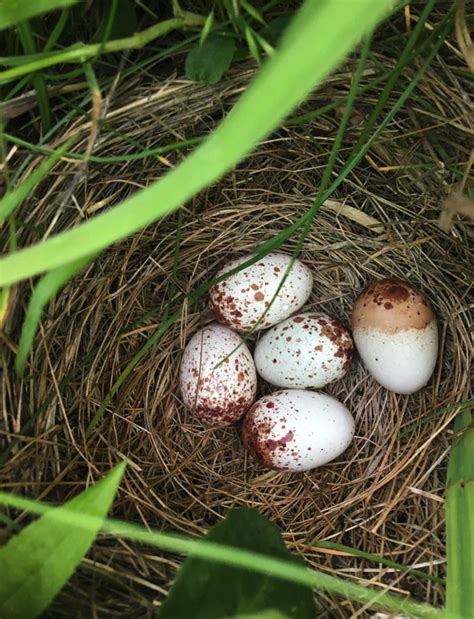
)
(460, 520)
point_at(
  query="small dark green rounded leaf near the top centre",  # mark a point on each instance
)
(208, 62)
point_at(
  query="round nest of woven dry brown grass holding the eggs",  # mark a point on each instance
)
(385, 494)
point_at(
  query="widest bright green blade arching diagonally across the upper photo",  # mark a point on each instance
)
(317, 40)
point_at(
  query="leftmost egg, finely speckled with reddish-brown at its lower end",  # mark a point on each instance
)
(217, 377)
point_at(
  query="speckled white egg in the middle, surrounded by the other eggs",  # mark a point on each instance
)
(307, 350)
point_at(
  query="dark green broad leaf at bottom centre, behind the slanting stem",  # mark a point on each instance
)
(214, 591)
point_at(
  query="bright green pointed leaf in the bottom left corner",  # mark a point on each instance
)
(37, 563)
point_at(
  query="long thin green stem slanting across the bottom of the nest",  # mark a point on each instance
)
(232, 556)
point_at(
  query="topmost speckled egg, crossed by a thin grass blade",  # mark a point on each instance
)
(240, 300)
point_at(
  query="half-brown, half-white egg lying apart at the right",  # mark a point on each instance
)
(395, 332)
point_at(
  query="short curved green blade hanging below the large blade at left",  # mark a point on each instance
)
(44, 291)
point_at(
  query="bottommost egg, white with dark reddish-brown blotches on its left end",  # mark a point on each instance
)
(297, 430)
